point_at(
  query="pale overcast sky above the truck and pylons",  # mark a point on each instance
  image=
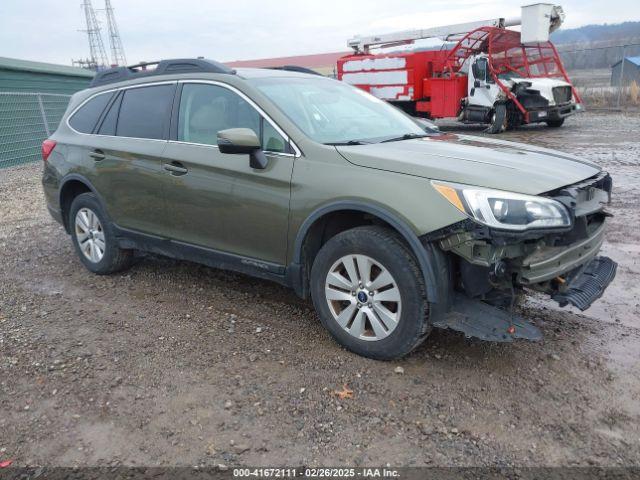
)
(50, 30)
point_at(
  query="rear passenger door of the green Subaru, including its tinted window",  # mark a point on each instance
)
(127, 153)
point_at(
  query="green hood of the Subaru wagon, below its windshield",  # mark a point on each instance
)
(475, 161)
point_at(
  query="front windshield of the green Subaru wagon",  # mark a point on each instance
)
(333, 112)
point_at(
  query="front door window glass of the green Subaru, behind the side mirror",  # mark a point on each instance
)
(207, 109)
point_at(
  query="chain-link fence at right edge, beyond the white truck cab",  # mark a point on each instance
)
(606, 76)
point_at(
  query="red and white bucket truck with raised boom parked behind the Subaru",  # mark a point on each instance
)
(492, 75)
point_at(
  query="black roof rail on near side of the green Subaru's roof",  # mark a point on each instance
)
(162, 67)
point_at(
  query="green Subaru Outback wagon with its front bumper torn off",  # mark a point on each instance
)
(389, 226)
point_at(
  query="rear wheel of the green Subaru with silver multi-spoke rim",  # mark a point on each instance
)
(93, 237)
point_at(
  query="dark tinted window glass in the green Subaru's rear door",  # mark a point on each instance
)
(144, 111)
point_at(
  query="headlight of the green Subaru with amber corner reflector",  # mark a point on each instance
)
(506, 210)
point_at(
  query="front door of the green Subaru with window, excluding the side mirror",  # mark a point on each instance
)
(217, 200)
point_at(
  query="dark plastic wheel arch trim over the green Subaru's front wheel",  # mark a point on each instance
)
(423, 253)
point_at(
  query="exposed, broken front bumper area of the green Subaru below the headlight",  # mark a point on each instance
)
(491, 267)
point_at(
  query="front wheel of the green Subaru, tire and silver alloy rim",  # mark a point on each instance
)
(370, 294)
